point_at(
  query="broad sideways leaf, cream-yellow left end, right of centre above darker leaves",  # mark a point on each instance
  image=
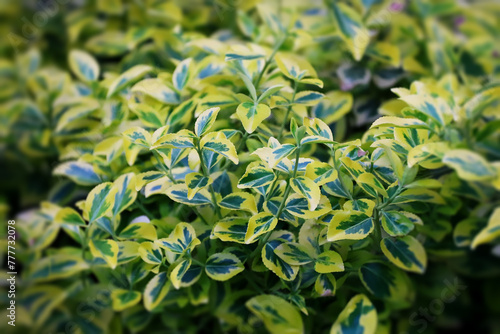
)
(349, 225)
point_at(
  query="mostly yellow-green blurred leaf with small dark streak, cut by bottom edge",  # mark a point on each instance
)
(278, 315)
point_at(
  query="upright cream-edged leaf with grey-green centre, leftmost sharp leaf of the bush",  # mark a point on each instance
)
(99, 201)
